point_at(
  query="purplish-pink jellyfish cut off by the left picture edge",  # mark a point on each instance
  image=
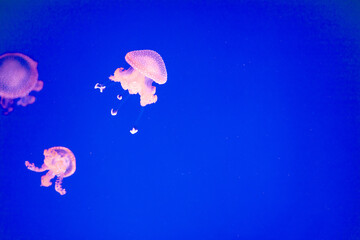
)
(18, 77)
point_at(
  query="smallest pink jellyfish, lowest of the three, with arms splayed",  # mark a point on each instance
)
(60, 162)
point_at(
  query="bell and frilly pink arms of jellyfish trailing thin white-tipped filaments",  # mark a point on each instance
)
(146, 66)
